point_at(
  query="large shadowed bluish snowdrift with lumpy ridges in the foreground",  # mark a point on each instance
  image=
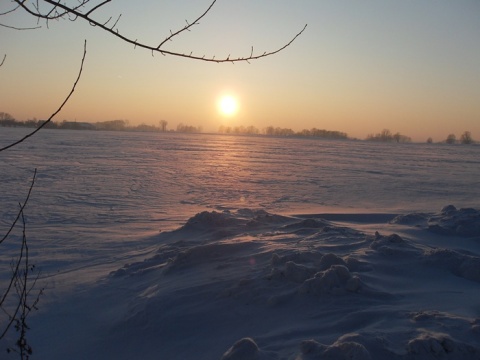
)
(253, 285)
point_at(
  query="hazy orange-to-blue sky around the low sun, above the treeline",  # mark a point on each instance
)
(359, 67)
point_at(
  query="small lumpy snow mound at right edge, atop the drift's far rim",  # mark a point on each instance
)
(450, 221)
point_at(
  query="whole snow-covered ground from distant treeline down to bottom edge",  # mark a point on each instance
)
(175, 246)
